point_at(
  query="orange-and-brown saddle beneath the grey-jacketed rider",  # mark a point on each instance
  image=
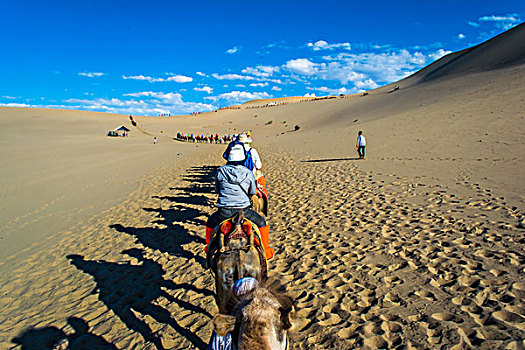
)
(235, 228)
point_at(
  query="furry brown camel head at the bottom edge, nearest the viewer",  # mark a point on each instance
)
(261, 319)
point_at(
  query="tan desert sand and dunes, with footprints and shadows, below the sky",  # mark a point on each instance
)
(420, 246)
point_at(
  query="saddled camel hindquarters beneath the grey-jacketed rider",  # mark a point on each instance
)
(234, 253)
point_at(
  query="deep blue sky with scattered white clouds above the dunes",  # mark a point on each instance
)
(157, 57)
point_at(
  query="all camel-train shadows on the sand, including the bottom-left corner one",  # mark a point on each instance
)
(132, 290)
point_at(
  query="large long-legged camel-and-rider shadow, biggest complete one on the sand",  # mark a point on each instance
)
(128, 289)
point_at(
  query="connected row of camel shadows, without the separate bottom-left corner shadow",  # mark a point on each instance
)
(130, 289)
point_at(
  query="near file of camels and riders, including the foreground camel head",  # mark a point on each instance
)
(254, 314)
